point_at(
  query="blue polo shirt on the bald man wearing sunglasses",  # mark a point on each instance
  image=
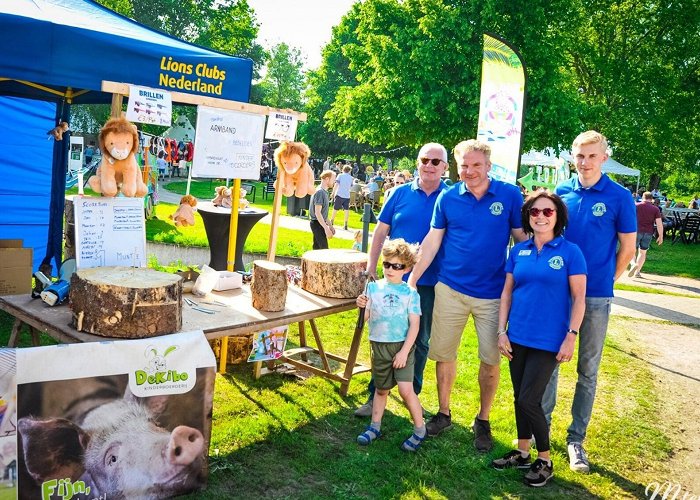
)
(408, 211)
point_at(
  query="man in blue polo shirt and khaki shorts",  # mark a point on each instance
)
(472, 224)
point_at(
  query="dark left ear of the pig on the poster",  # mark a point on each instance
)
(53, 448)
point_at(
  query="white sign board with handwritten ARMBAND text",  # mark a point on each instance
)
(229, 144)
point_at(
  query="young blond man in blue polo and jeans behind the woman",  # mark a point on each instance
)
(601, 215)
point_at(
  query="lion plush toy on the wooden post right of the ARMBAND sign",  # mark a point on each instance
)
(294, 173)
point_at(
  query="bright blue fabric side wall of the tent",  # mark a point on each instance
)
(26, 189)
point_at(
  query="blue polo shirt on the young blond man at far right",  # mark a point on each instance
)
(596, 215)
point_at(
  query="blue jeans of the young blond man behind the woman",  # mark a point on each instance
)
(590, 350)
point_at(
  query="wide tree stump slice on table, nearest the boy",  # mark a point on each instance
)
(337, 273)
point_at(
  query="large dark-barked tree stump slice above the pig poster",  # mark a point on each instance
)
(126, 302)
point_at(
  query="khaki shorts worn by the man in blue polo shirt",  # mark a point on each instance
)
(450, 315)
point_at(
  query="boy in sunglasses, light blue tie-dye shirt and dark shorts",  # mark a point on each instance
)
(392, 310)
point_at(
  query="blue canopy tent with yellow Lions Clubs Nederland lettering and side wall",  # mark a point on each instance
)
(57, 53)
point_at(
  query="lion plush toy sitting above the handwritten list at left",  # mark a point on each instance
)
(119, 142)
